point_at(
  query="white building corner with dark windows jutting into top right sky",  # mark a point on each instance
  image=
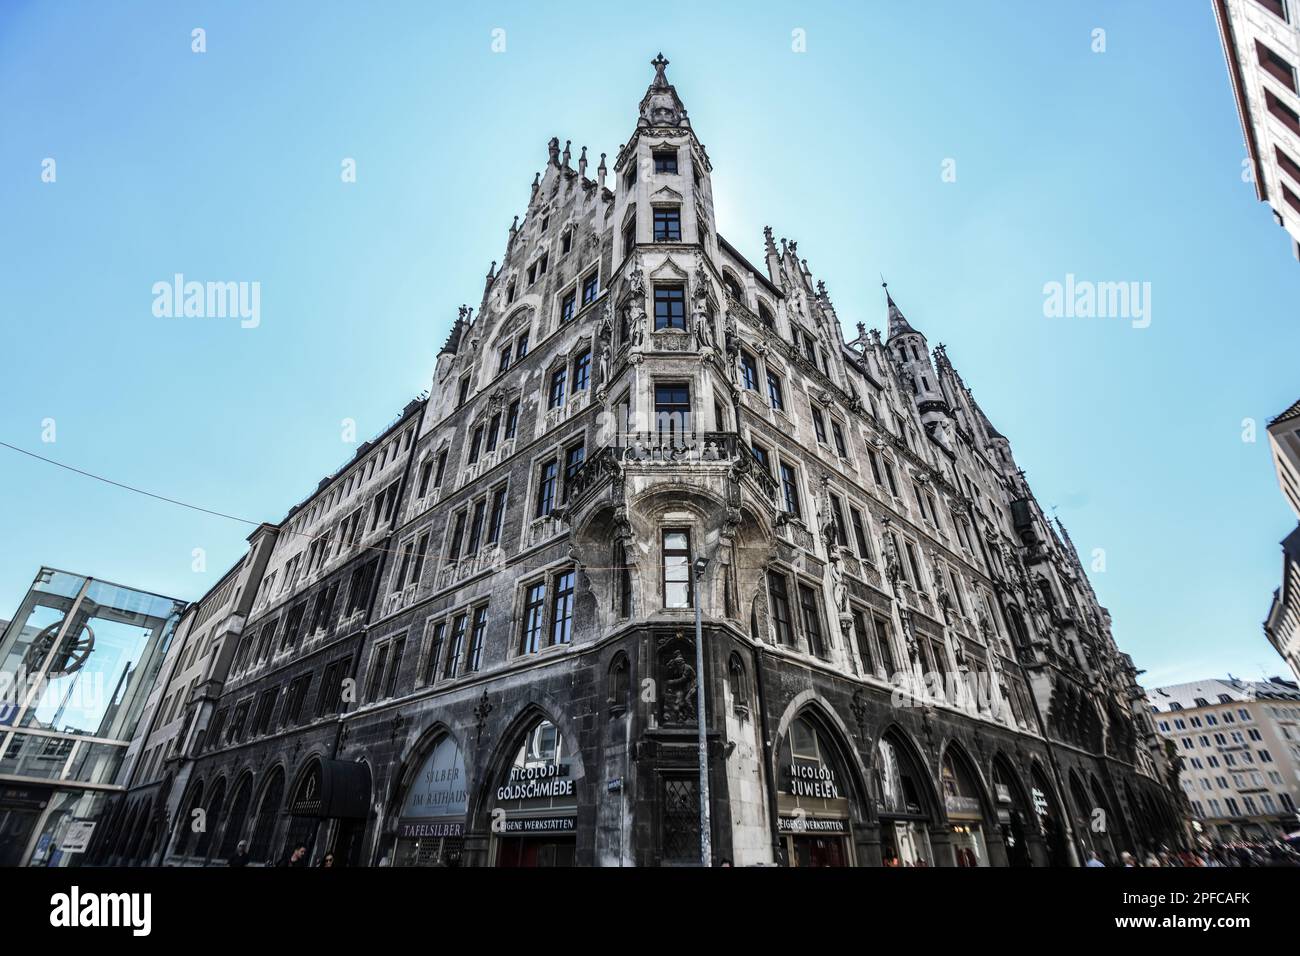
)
(1262, 45)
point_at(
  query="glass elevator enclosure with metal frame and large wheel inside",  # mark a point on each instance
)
(76, 668)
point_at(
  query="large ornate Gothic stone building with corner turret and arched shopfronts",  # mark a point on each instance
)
(904, 660)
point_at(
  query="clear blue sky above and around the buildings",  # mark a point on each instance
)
(1123, 166)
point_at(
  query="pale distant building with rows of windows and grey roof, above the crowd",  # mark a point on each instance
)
(1238, 743)
